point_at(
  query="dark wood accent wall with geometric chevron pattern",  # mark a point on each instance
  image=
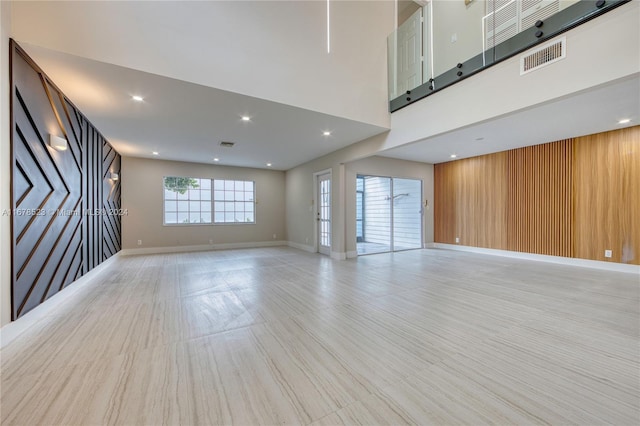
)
(66, 205)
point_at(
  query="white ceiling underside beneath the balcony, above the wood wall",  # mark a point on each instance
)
(593, 111)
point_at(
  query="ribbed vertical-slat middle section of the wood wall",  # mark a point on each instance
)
(540, 187)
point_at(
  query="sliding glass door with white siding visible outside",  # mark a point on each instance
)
(388, 214)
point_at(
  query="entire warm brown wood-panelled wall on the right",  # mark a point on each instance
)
(572, 198)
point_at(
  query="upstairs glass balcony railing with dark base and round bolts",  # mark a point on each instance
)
(440, 42)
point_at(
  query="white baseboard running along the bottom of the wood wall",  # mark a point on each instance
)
(585, 263)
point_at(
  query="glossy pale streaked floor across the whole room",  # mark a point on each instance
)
(275, 336)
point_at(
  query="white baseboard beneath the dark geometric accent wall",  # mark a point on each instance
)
(14, 329)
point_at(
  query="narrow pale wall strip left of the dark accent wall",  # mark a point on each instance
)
(5, 166)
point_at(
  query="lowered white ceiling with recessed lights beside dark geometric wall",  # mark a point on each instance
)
(186, 122)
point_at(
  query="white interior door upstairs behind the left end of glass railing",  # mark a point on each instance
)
(409, 41)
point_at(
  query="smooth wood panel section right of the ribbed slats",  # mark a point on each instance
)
(607, 195)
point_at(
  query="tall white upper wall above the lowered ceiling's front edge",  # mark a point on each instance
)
(274, 50)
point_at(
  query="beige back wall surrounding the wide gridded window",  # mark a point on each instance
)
(142, 196)
